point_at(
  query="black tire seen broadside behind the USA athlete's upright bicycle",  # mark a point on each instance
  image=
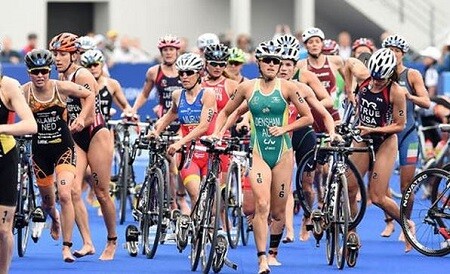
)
(308, 159)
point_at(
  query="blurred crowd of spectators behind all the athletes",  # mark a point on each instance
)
(117, 48)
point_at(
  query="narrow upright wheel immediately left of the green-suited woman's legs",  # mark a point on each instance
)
(233, 212)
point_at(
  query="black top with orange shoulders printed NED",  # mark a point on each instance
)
(51, 118)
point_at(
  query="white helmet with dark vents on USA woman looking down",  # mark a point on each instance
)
(382, 64)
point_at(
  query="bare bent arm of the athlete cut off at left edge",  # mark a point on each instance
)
(16, 102)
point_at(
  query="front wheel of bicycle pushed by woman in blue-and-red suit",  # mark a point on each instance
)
(153, 213)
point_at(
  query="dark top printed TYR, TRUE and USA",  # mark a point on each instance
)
(374, 109)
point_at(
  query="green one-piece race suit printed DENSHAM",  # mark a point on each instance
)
(268, 110)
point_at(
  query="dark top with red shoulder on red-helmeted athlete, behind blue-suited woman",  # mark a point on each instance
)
(165, 85)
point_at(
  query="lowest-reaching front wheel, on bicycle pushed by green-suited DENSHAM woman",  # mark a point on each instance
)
(212, 222)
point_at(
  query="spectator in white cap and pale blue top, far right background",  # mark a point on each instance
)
(430, 57)
